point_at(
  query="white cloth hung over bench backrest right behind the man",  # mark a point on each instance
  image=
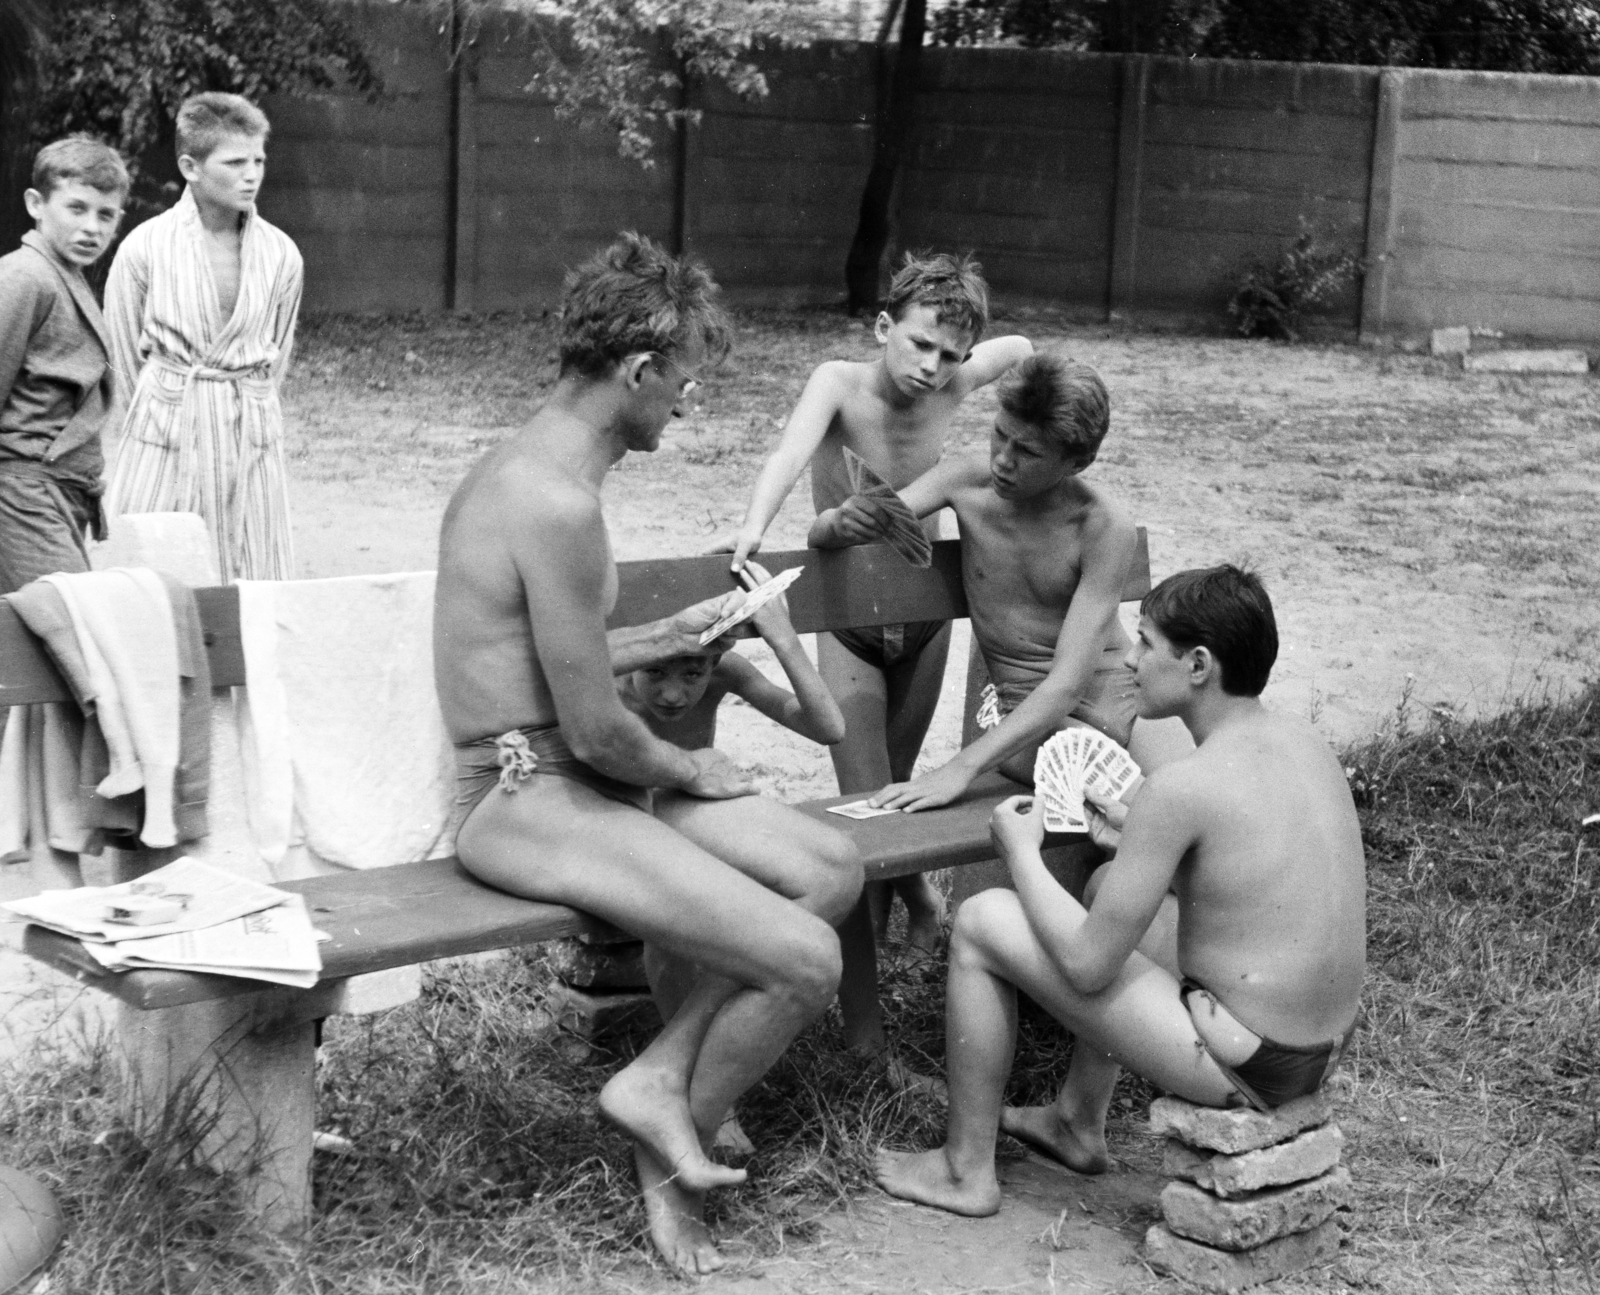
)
(345, 748)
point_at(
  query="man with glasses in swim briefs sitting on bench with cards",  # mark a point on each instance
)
(572, 798)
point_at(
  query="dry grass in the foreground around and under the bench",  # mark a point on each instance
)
(1473, 1115)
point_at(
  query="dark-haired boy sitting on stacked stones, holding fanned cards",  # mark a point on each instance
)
(1223, 950)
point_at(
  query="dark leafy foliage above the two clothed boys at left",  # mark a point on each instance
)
(119, 70)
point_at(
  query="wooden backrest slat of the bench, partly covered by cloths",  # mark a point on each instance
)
(841, 588)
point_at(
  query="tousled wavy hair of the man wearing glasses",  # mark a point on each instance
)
(636, 297)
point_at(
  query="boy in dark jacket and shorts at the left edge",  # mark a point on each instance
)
(57, 380)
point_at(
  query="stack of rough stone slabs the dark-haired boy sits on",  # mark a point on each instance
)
(1252, 1197)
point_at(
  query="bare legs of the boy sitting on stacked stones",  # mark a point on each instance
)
(1138, 1019)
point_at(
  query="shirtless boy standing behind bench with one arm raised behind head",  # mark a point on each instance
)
(895, 412)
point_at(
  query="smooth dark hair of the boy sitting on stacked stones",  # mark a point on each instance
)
(1225, 611)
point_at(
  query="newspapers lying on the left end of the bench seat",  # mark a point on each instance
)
(186, 916)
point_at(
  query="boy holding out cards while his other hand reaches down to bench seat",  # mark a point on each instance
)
(1046, 556)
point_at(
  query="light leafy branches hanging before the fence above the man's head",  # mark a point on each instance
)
(625, 63)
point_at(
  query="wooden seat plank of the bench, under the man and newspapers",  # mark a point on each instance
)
(374, 916)
